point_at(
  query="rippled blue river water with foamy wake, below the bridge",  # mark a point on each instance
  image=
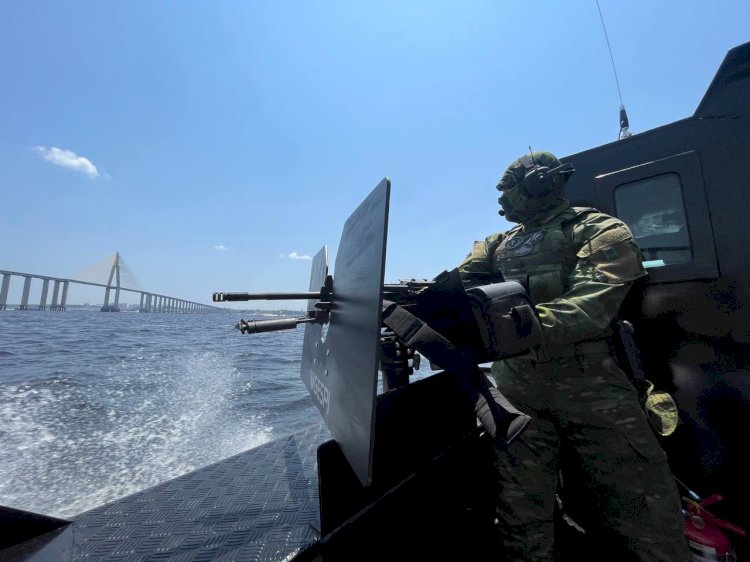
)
(95, 406)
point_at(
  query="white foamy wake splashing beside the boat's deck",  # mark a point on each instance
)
(69, 447)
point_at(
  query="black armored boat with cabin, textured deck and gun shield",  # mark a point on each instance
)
(403, 473)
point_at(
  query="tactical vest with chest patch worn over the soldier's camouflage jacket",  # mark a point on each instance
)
(541, 258)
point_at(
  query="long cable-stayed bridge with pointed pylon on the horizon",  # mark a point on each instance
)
(119, 278)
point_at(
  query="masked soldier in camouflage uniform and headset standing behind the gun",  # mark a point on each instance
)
(578, 265)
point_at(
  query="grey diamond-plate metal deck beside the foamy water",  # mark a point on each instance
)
(259, 505)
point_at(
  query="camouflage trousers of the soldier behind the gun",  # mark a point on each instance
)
(585, 414)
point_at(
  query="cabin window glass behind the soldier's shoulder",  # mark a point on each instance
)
(654, 210)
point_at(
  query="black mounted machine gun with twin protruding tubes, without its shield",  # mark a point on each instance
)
(483, 316)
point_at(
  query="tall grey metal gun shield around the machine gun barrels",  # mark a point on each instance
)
(344, 384)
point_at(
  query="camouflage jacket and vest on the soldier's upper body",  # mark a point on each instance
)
(578, 266)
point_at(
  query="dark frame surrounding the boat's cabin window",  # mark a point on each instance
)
(687, 167)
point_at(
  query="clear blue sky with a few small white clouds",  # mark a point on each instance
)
(215, 145)
